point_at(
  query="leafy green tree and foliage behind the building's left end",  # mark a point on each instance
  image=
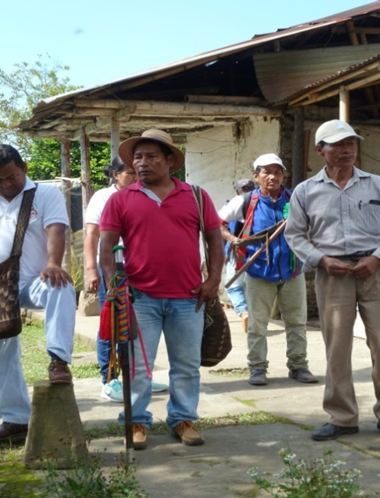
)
(20, 91)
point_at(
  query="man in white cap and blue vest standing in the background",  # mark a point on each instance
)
(275, 273)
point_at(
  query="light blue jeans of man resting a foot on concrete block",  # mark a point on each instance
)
(59, 306)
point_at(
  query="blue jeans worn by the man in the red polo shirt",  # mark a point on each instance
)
(183, 328)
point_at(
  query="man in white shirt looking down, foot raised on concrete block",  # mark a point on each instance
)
(42, 284)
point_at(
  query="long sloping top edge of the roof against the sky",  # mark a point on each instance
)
(184, 64)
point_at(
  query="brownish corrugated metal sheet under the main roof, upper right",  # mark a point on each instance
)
(282, 74)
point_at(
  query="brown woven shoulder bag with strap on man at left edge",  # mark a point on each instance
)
(10, 317)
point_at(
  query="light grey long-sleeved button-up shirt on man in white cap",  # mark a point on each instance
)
(325, 219)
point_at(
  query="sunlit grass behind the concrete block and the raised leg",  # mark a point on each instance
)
(35, 360)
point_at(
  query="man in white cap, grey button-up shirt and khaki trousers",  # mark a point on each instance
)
(334, 228)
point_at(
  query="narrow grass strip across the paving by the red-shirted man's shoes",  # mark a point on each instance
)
(158, 429)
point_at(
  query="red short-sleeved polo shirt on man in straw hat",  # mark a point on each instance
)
(161, 256)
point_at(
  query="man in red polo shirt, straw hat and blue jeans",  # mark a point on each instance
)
(158, 220)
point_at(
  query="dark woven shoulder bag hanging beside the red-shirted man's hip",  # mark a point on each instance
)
(216, 341)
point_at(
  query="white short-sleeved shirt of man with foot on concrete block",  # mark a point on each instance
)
(48, 207)
